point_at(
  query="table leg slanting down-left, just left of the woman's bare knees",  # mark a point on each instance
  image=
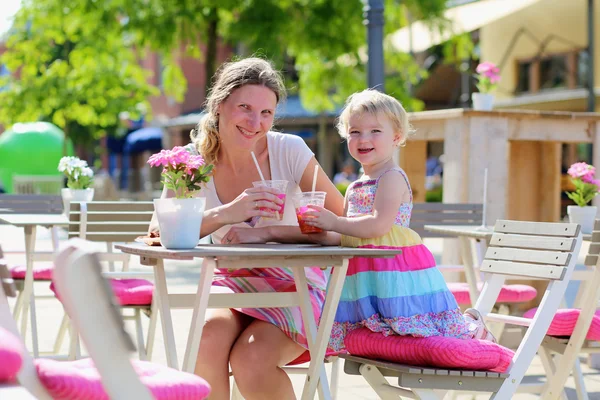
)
(199, 314)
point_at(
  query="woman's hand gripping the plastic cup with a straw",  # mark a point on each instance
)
(253, 202)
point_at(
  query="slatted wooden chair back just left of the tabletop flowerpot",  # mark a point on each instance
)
(110, 221)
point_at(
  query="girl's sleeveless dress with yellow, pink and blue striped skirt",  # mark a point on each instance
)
(405, 295)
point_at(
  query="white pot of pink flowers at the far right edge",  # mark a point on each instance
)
(586, 188)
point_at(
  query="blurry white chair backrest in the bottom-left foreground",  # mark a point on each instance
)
(90, 303)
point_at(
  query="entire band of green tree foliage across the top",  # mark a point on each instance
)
(77, 68)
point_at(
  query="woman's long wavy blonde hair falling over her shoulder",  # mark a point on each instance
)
(229, 77)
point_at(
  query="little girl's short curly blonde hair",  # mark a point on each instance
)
(373, 102)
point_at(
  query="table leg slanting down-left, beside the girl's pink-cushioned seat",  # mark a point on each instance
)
(334, 291)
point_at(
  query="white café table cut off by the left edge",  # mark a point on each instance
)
(29, 223)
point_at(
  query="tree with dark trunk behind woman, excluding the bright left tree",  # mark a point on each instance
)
(325, 39)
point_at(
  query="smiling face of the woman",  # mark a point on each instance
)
(247, 115)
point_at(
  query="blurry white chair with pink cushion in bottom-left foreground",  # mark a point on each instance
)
(91, 305)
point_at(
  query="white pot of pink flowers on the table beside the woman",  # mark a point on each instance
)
(180, 218)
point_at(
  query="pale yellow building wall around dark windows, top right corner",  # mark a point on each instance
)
(564, 19)
